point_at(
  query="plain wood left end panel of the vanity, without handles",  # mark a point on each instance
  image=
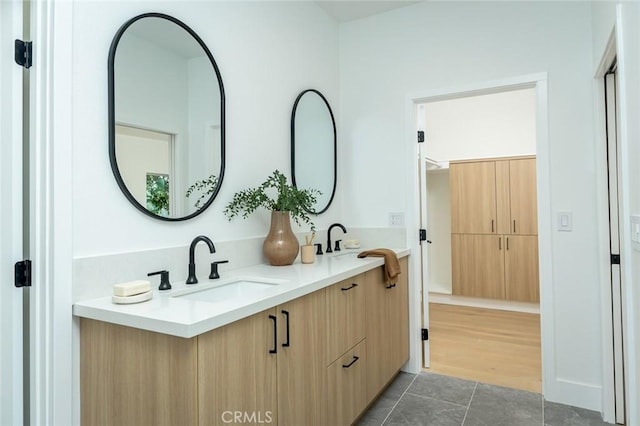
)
(136, 377)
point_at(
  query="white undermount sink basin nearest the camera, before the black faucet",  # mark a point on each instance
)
(238, 289)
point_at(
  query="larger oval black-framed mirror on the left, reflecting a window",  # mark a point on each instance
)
(166, 117)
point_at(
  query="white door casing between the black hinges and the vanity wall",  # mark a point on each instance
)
(53, 383)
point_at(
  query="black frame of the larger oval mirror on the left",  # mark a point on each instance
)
(112, 123)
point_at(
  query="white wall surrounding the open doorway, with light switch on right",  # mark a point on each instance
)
(440, 45)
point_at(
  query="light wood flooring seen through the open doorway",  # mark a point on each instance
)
(486, 345)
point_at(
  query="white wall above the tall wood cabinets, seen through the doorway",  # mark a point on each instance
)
(484, 126)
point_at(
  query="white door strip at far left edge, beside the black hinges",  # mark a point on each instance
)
(11, 219)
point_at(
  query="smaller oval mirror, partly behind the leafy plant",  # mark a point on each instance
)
(313, 147)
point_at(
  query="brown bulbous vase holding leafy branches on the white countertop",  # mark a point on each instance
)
(281, 246)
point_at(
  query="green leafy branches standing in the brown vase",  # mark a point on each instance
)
(274, 194)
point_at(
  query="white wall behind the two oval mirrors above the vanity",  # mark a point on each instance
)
(267, 52)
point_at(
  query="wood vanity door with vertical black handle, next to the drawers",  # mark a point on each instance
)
(302, 370)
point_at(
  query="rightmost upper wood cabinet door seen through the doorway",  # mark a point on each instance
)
(523, 197)
